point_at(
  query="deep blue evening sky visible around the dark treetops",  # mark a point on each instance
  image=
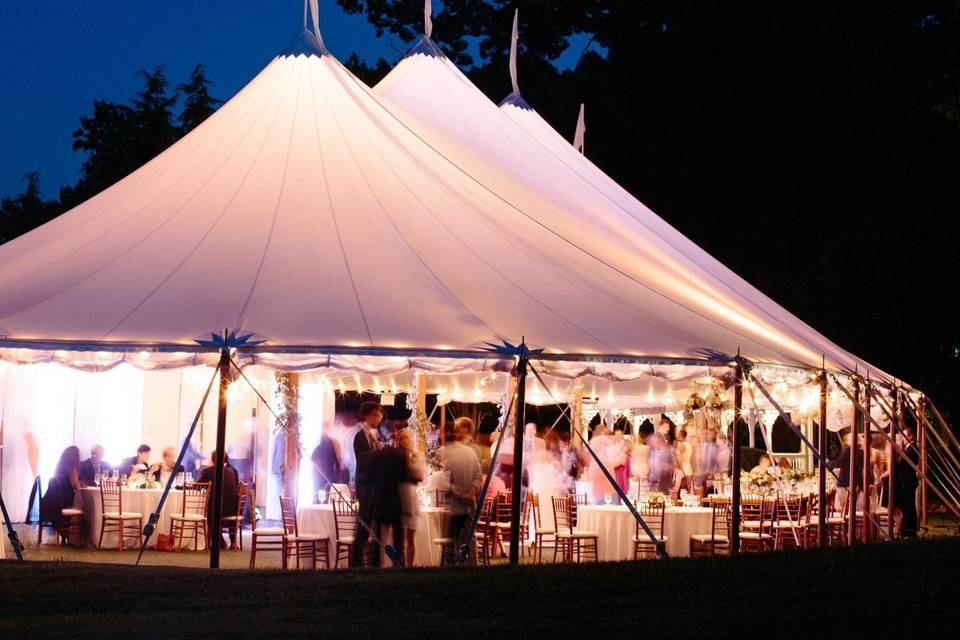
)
(58, 57)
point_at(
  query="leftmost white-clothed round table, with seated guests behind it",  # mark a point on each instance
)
(142, 501)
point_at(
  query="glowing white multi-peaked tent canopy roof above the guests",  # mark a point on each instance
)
(320, 216)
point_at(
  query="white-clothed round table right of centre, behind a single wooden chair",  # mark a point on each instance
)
(616, 526)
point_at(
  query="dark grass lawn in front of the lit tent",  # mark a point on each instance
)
(908, 589)
